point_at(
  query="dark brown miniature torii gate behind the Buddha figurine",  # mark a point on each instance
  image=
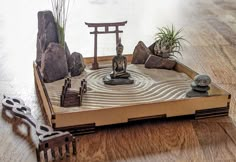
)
(106, 31)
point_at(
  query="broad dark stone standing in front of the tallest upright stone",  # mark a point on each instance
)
(54, 64)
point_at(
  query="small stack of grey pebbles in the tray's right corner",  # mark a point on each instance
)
(200, 86)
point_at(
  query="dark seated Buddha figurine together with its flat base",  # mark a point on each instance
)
(119, 75)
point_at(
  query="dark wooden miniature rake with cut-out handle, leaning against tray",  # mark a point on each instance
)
(49, 140)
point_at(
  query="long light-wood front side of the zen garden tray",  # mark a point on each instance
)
(101, 117)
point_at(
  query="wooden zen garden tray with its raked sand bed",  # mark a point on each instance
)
(156, 93)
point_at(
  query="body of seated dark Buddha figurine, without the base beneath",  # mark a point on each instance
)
(119, 64)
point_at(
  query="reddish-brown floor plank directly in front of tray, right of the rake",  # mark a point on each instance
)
(157, 141)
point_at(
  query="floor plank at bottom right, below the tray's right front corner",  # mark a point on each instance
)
(215, 142)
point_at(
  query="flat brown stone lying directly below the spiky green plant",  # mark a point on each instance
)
(159, 62)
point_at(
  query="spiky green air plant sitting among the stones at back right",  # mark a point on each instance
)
(168, 42)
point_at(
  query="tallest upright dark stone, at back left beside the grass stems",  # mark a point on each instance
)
(47, 33)
